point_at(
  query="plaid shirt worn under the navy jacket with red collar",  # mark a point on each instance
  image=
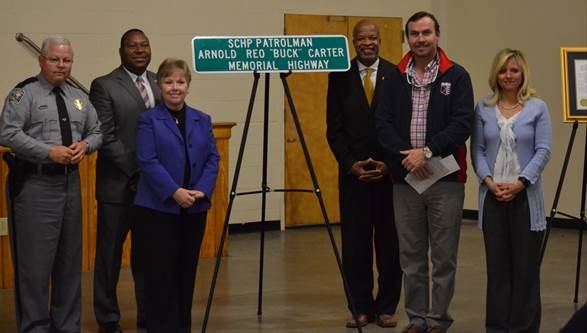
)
(420, 97)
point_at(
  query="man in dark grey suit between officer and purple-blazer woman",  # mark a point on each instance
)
(119, 98)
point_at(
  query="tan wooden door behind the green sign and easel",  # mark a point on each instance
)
(309, 92)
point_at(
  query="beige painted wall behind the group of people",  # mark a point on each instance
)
(472, 31)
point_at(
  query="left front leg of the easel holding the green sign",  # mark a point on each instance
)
(230, 202)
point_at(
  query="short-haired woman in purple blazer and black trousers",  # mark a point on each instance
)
(178, 165)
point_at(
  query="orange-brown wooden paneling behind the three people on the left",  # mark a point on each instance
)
(215, 221)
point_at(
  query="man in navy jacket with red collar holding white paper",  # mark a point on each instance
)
(425, 113)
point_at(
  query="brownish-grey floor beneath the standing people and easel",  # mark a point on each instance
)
(303, 293)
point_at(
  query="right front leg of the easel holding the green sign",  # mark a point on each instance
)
(318, 193)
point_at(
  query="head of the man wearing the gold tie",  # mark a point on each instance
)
(366, 40)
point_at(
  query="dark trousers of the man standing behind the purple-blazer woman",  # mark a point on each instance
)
(114, 223)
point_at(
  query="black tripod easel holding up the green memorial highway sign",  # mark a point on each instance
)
(265, 189)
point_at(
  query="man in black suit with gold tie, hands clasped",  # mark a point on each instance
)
(366, 203)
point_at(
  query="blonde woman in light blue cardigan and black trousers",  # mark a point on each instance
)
(510, 146)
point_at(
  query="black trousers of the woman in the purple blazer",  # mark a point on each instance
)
(168, 251)
